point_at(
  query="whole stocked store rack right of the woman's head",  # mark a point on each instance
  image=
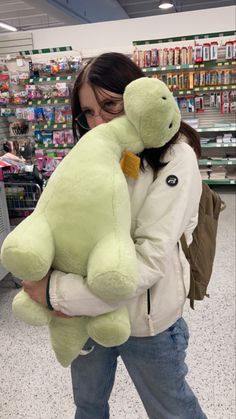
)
(200, 71)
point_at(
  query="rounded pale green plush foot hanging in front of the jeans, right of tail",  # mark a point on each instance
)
(110, 329)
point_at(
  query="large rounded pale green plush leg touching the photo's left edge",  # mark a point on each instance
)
(28, 251)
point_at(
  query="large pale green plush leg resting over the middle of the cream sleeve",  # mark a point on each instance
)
(112, 268)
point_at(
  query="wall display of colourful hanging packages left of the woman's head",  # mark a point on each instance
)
(35, 101)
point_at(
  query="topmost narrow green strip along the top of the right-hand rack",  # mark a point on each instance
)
(185, 38)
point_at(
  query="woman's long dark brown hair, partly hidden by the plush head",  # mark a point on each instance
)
(113, 71)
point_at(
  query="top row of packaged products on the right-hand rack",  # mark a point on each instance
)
(159, 57)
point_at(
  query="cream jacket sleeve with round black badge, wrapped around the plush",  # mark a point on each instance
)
(171, 202)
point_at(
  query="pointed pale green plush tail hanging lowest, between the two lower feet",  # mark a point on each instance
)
(68, 337)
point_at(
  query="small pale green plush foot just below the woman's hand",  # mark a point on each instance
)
(29, 311)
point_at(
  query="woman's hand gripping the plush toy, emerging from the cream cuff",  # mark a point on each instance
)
(37, 292)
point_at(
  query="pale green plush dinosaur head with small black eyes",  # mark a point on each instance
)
(152, 109)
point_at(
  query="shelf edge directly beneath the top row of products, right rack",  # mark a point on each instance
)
(205, 65)
